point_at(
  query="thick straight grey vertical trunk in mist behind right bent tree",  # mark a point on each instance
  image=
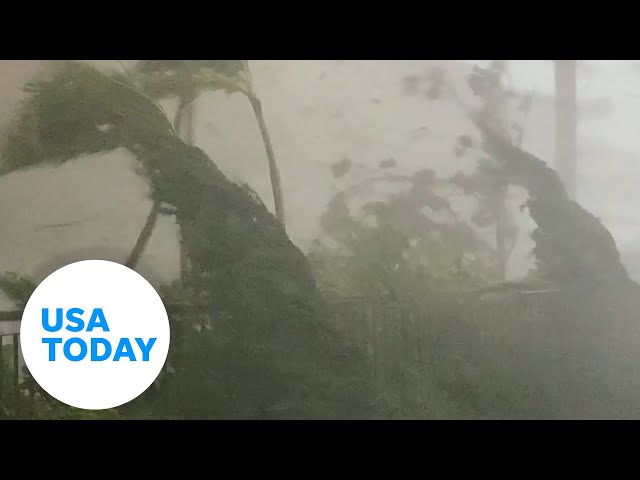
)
(566, 124)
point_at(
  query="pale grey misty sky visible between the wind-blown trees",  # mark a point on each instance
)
(318, 113)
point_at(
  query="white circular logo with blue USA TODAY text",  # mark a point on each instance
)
(95, 334)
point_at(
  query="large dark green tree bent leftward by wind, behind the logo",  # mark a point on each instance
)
(270, 355)
